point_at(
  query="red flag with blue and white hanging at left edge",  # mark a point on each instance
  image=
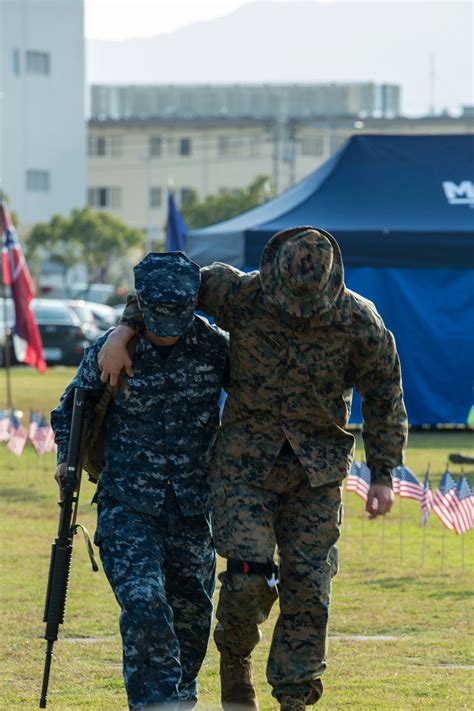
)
(17, 276)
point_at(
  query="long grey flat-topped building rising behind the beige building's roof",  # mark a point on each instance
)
(297, 100)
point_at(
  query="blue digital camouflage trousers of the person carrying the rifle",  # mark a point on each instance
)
(162, 571)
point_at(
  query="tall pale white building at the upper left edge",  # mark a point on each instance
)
(42, 129)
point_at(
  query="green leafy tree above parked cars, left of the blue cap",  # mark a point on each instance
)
(92, 239)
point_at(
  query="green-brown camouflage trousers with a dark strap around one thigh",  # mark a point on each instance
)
(304, 523)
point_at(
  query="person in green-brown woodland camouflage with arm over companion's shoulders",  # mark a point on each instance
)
(300, 341)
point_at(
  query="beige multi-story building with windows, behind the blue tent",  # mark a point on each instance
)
(132, 162)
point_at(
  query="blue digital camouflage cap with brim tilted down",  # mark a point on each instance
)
(167, 285)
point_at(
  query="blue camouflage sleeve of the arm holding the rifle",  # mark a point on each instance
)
(88, 378)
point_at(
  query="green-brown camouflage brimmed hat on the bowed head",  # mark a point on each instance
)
(301, 272)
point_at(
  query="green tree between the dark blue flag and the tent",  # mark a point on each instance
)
(221, 207)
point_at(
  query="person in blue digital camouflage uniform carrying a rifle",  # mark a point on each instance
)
(153, 528)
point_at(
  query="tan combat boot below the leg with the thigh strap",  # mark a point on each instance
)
(237, 689)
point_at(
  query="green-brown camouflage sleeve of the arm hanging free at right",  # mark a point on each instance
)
(385, 427)
